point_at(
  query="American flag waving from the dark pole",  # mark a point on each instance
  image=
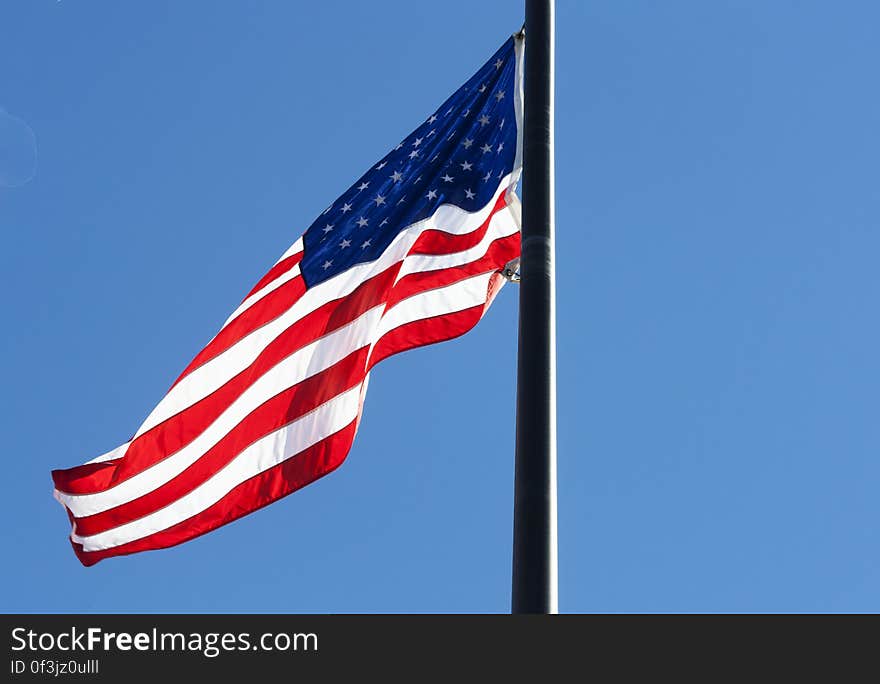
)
(411, 254)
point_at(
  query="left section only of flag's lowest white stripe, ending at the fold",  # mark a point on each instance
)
(263, 454)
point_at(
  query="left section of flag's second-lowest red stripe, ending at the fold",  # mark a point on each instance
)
(280, 410)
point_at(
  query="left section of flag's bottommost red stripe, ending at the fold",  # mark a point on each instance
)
(251, 495)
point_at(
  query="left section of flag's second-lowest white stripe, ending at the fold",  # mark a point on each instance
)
(303, 364)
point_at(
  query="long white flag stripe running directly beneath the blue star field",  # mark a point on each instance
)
(217, 371)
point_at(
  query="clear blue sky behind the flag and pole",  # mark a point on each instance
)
(718, 195)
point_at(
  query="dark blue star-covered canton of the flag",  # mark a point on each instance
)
(458, 156)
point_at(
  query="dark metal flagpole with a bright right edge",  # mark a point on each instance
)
(534, 534)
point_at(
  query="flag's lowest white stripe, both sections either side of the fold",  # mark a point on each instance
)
(299, 435)
